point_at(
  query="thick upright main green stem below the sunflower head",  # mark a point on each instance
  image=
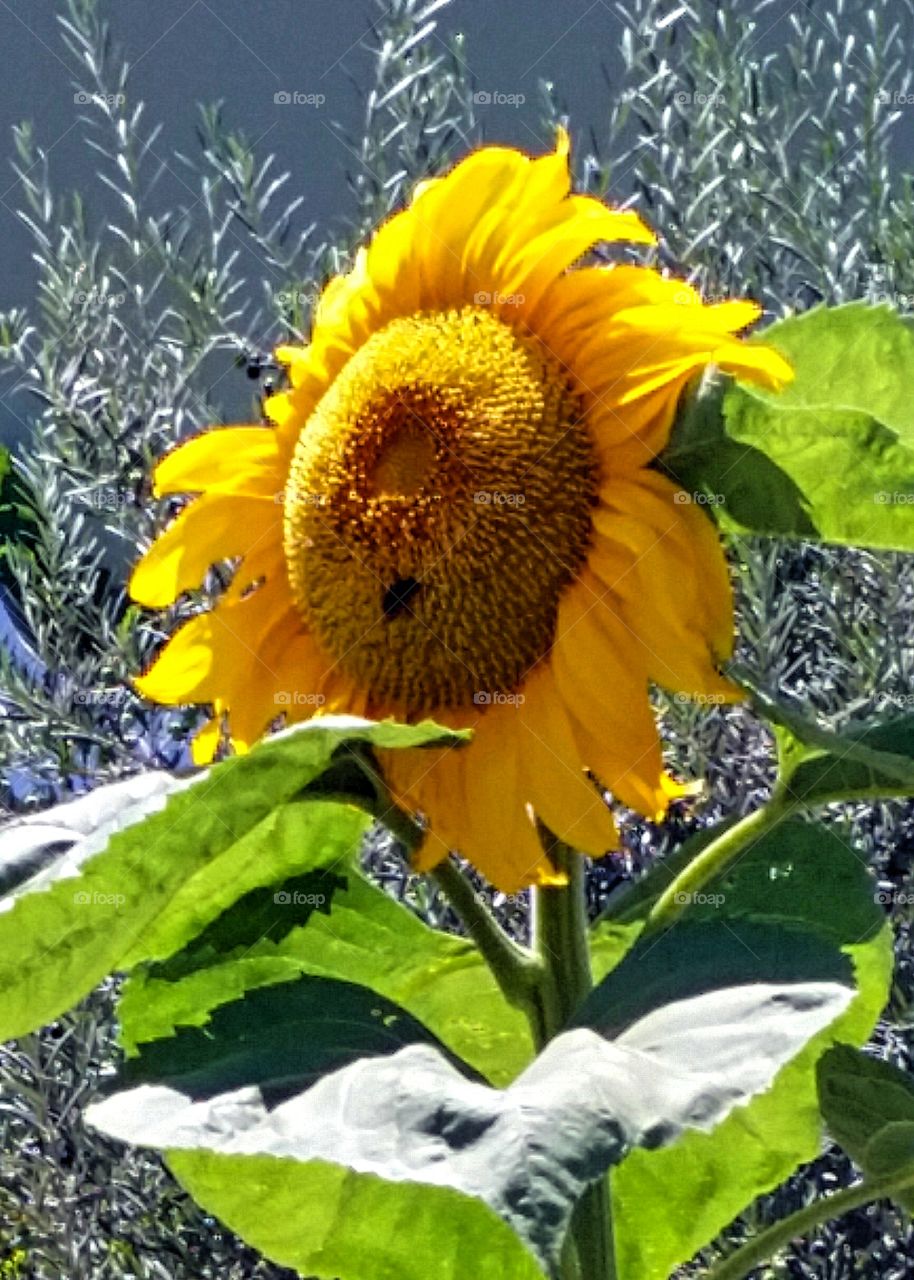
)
(561, 941)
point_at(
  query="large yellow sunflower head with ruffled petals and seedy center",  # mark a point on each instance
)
(453, 514)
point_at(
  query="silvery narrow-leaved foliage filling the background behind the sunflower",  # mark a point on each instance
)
(769, 161)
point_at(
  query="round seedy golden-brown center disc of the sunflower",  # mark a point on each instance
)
(440, 500)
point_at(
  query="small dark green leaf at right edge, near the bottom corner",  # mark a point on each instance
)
(869, 1108)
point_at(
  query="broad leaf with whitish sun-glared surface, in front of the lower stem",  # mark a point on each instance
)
(412, 1117)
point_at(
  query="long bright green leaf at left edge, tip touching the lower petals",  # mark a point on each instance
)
(145, 875)
